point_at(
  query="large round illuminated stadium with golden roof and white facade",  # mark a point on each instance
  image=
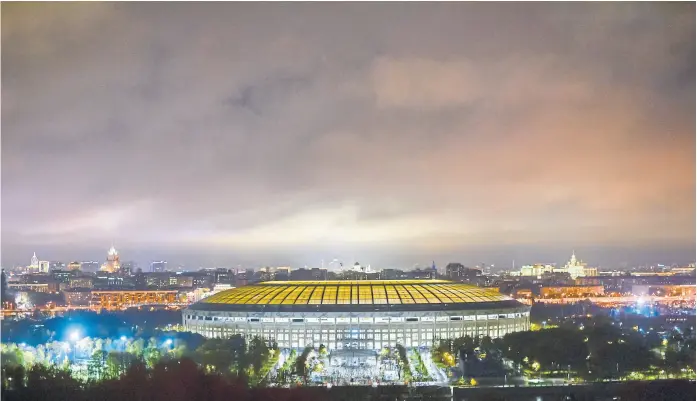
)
(366, 315)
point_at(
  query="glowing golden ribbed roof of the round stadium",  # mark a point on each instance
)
(382, 294)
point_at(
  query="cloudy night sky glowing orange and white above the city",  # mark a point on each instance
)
(391, 134)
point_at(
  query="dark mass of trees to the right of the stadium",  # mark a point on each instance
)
(597, 350)
